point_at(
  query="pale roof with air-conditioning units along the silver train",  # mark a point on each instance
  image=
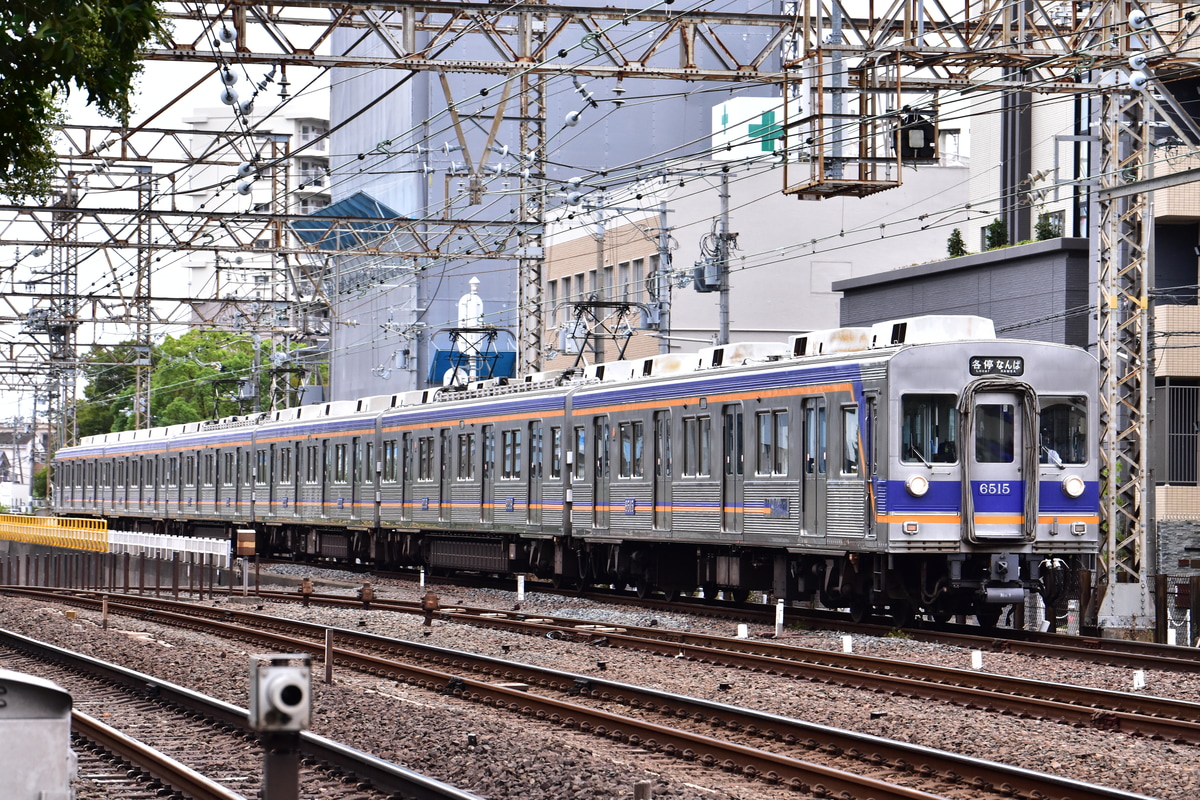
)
(813, 345)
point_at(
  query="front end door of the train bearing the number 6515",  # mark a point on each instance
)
(997, 467)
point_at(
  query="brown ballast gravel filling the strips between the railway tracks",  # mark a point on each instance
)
(501, 756)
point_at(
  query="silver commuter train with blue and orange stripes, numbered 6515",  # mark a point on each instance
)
(921, 465)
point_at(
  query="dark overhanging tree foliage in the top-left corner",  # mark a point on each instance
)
(49, 47)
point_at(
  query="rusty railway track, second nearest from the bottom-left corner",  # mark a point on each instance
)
(781, 750)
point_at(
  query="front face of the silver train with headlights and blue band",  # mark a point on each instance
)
(992, 488)
